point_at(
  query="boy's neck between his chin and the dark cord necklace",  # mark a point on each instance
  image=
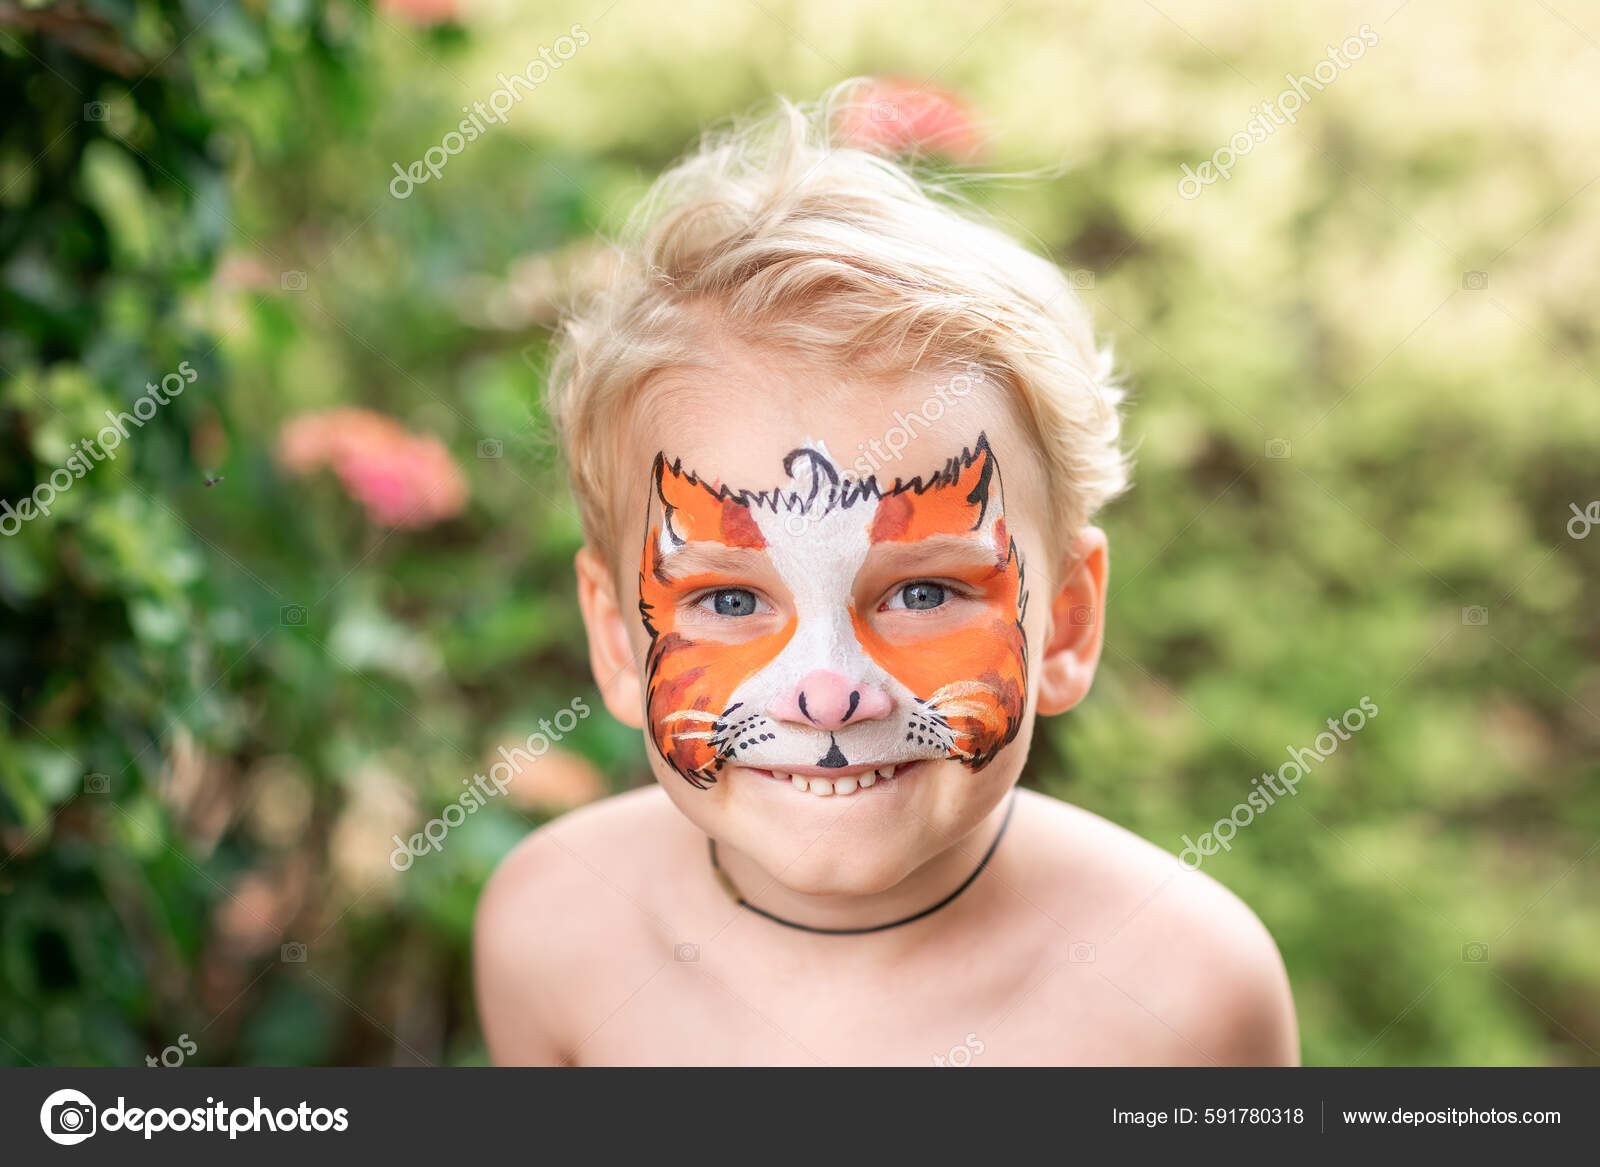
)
(927, 888)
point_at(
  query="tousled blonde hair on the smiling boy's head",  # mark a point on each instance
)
(833, 251)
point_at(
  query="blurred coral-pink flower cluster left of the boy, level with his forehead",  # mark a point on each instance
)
(402, 479)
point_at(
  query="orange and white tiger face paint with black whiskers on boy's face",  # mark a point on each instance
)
(825, 683)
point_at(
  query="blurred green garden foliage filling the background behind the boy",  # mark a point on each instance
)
(228, 678)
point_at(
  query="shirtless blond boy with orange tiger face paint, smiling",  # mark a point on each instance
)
(836, 447)
